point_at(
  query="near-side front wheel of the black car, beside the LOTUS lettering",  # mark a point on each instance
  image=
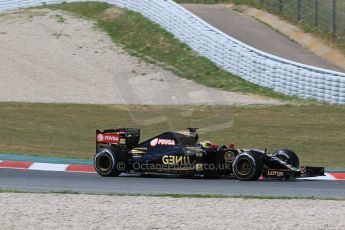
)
(247, 166)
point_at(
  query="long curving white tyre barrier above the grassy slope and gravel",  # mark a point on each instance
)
(253, 65)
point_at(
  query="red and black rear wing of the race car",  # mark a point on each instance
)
(126, 137)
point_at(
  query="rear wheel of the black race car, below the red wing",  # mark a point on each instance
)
(107, 162)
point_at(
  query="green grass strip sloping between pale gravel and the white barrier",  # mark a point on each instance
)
(149, 41)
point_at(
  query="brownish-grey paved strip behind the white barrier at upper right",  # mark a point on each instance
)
(256, 34)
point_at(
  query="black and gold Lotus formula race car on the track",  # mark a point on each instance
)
(118, 151)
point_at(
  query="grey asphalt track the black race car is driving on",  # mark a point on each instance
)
(45, 181)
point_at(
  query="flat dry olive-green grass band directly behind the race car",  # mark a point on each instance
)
(315, 132)
